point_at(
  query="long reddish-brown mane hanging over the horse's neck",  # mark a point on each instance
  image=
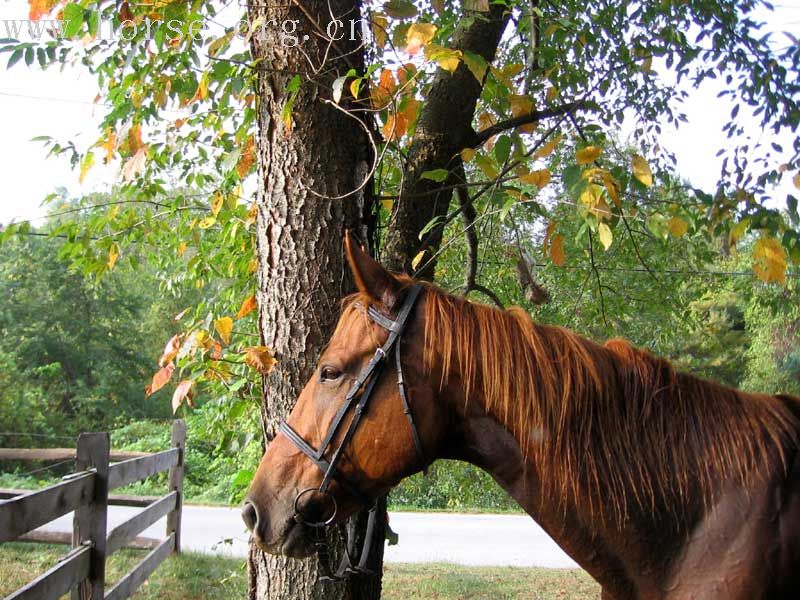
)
(612, 417)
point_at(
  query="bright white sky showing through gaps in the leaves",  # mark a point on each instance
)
(60, 104)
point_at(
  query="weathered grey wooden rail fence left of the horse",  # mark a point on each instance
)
(81, 572)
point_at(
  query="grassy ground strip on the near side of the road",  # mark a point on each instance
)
(197, 577)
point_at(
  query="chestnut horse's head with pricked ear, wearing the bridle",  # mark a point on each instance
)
(366, 419)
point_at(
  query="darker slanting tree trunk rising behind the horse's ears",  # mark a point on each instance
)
(443, 130)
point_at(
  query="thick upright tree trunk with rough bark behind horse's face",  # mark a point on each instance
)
(302, 270)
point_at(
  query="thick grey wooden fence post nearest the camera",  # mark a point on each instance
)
(90, 522)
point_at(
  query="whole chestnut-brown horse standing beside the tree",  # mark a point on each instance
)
(661, 485)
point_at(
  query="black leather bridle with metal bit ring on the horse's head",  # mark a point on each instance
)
(358, 400)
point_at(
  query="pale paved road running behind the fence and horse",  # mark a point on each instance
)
(424, 537)
